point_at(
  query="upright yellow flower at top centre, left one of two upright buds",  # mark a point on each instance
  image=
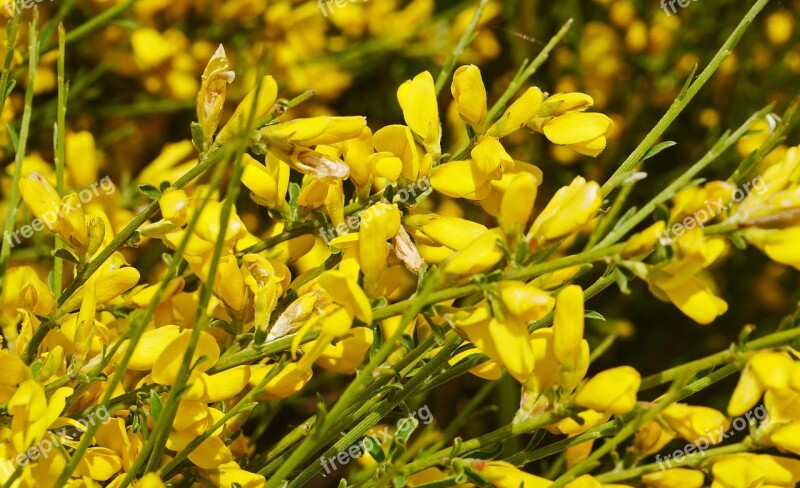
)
(417, 99)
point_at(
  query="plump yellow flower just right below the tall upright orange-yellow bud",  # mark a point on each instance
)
(613, 390)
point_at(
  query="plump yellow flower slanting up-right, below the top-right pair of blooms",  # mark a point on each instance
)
(570, 209)
